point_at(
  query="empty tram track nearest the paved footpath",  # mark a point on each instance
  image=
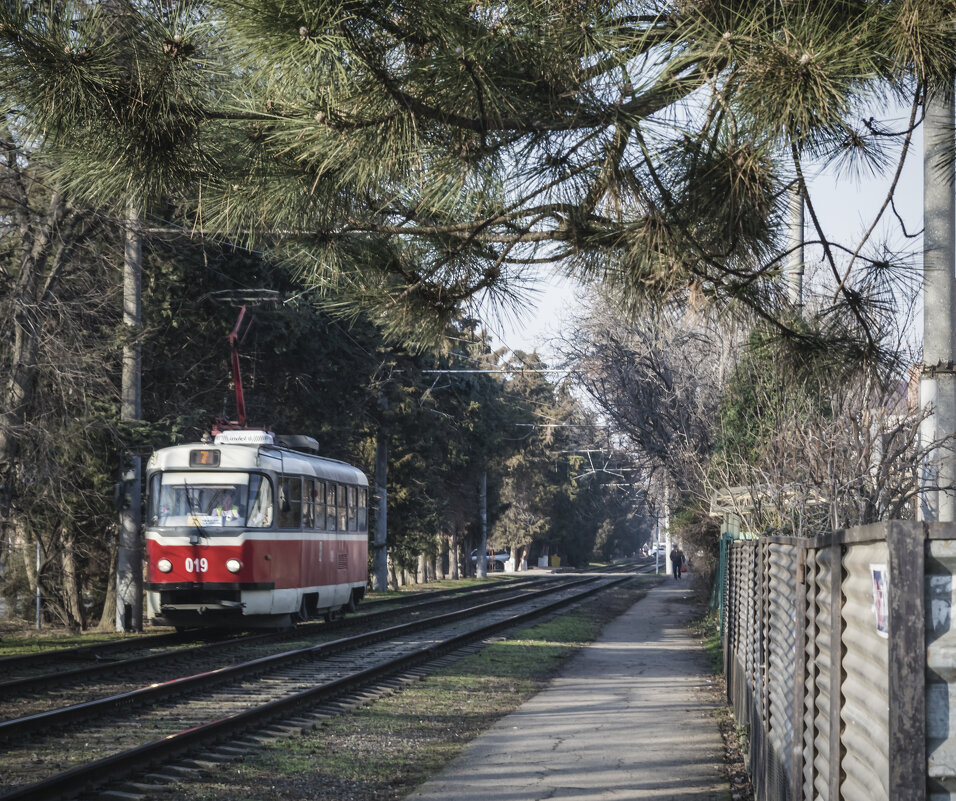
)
(58, 754)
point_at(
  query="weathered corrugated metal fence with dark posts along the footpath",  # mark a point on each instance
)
(840, 653)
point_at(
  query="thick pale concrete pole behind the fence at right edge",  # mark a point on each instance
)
(937, 378)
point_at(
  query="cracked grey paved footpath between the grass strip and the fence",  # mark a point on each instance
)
(628, 718)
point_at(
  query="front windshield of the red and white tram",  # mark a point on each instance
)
(210, 500)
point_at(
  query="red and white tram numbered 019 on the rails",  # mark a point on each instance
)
(253, 530)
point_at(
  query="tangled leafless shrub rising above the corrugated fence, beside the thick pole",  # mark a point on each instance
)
(850, 460)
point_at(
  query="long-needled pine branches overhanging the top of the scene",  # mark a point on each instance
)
(415, 157)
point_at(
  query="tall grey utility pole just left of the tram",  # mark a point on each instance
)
(129, 562)
